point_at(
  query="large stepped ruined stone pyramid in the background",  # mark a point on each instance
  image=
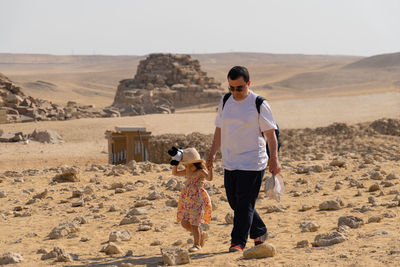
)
(164, 82)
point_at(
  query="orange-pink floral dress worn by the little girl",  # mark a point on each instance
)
(194, 203)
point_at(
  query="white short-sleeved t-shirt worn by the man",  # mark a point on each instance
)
(242, 145)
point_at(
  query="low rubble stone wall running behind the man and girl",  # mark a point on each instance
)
(299, 144)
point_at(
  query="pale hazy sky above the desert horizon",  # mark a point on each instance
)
(118, 27)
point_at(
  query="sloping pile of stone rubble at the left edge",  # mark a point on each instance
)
(22, 108)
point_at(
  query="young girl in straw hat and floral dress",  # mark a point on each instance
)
(194, 206)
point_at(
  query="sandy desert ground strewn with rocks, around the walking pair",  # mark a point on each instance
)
(104, 194)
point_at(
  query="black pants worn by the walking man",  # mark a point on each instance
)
(242, 188)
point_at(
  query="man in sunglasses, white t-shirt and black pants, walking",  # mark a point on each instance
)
(244, 158)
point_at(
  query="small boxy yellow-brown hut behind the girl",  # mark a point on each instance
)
(127, 144)
